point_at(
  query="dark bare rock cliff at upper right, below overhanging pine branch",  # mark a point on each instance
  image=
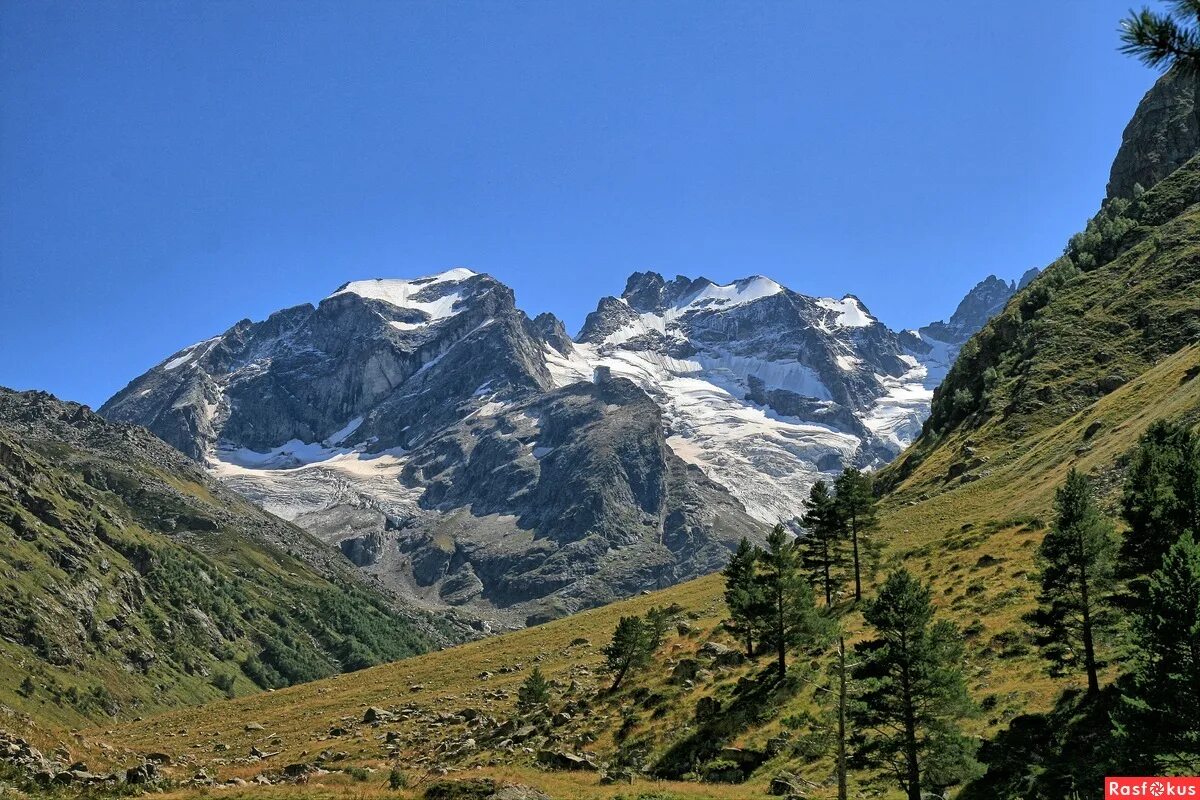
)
(1163, 135)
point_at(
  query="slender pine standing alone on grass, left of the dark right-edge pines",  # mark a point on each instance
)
(1077, 572)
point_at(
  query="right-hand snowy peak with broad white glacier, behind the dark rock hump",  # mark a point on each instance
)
(760, 387)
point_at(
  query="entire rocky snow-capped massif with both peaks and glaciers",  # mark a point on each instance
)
(471, 456)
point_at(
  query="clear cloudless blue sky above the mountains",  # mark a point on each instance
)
(170, 169)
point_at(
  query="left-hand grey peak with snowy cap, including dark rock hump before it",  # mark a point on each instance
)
(418, 425)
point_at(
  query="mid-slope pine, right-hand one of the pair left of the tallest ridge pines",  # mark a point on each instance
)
(788, 613)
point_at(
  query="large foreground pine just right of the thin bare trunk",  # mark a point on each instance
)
(914, 693)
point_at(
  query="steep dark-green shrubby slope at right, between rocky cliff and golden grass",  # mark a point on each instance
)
(1124, 297)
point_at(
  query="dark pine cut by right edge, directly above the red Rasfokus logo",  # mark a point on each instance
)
(1160, 718)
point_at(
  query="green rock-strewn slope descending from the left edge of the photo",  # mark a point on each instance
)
(131, 581)
